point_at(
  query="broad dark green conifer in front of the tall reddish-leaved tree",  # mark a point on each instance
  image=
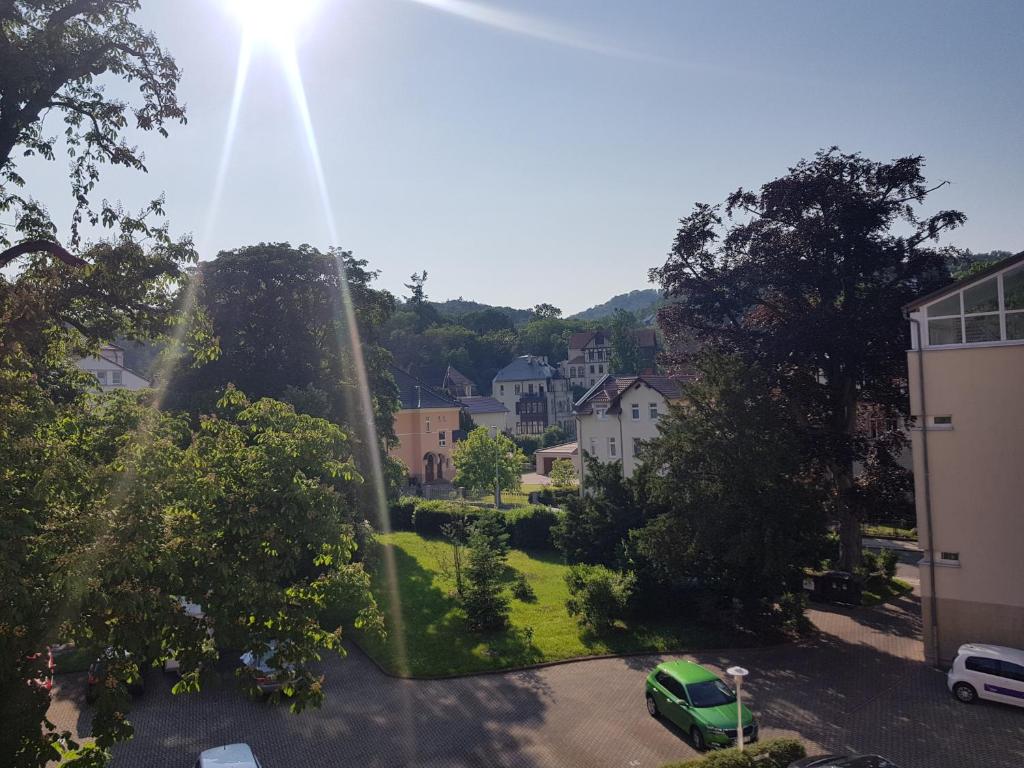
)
(738, 508)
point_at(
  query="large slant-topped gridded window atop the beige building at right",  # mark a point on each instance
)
(987, 312)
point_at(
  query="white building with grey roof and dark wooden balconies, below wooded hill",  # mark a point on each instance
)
(536, 396)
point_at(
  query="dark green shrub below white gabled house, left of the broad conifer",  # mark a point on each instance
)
(596, 525)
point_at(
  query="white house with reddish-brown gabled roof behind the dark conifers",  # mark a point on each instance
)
(620, 414)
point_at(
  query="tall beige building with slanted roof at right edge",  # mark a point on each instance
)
(967, 380)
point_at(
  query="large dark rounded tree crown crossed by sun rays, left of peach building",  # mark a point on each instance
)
(278, 313)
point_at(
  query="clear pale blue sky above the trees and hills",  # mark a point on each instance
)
(550, 161)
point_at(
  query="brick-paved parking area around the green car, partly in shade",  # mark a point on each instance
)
(859, 686)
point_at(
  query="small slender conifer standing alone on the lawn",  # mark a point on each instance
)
(485, 601)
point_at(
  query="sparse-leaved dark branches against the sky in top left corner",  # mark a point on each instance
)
(54, 57)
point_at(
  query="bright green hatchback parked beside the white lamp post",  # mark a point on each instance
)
(698, 702)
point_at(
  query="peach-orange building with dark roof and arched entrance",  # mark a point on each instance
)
(425, 429)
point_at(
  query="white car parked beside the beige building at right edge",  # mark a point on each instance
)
(992, 672)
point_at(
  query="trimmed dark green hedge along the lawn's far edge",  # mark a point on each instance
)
(530, 528)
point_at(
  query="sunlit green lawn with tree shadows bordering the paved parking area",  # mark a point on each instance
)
(438, 642)
